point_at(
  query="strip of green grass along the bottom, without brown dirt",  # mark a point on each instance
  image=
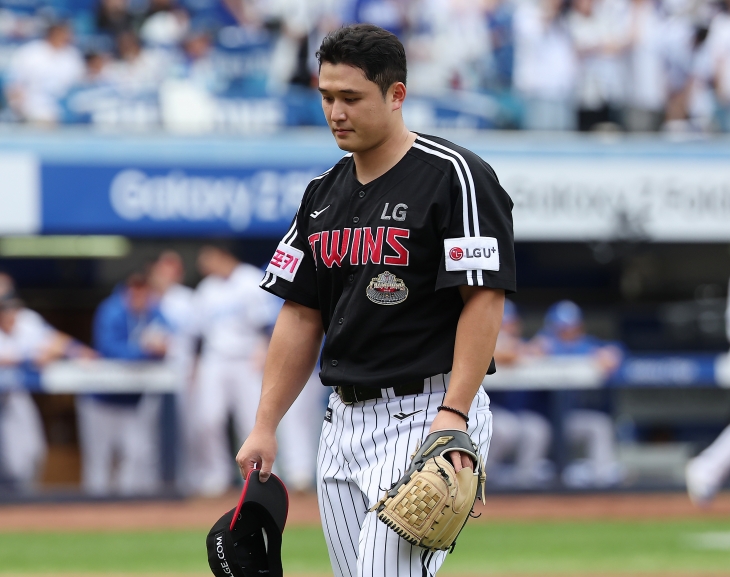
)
(526, 548)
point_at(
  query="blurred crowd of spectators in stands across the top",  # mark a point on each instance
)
(635, 65)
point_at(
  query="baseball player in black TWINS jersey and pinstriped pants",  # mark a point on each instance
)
(401, 255)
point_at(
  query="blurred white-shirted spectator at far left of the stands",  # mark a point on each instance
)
(40, 74)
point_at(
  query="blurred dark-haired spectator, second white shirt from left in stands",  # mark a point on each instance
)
(138, 70)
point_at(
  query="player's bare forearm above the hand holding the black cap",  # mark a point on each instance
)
(292, 354)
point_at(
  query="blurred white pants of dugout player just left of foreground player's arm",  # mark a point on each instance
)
(223, 387)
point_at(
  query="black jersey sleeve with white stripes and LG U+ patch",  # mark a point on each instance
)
(478, 242)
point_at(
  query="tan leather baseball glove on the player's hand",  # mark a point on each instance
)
(430, 504)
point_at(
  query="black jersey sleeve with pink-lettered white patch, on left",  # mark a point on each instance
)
(291, 273)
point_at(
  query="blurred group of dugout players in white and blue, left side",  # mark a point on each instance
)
(212, 340)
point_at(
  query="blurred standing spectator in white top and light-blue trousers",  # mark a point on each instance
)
(545, 66)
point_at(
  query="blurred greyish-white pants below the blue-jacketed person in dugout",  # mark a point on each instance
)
(120, 446)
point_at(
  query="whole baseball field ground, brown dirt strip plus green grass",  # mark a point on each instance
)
(657, 535)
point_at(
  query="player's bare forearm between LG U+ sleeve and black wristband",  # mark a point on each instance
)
(476, 337)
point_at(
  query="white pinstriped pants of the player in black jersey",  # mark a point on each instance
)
(364, 450)
